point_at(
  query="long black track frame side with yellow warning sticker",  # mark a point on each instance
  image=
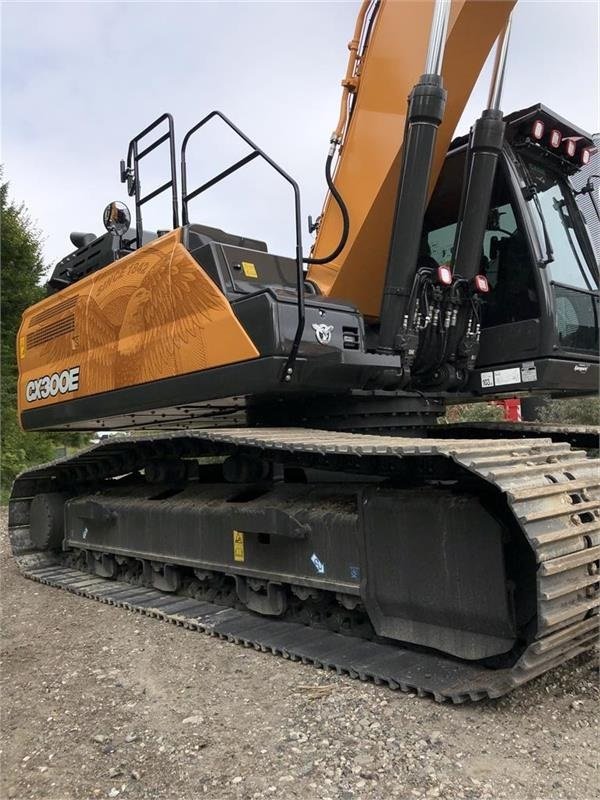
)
(283, 525)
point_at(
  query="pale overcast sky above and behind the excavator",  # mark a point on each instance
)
(80, 79)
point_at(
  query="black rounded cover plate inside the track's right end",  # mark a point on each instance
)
(434, 571)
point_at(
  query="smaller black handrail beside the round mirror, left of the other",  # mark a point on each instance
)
(131, 174)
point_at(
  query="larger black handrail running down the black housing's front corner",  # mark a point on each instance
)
(256, 152)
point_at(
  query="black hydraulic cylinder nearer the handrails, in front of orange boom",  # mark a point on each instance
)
(425, 112)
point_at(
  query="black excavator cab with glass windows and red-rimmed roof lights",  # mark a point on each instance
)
(540, 316)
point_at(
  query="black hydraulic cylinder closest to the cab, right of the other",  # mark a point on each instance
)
(487, 137)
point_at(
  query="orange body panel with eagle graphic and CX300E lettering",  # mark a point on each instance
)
(150, 315)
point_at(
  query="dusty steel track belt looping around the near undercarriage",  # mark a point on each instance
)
(551, 490)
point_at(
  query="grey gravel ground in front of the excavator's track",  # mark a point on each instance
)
(98, 702)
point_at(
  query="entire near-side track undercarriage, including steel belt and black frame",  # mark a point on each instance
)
(454, 567)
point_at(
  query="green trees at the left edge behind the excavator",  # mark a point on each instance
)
(21, 271)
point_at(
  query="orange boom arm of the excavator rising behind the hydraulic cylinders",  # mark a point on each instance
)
(369, 167)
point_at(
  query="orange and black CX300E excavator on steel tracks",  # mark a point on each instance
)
(270, 467)
